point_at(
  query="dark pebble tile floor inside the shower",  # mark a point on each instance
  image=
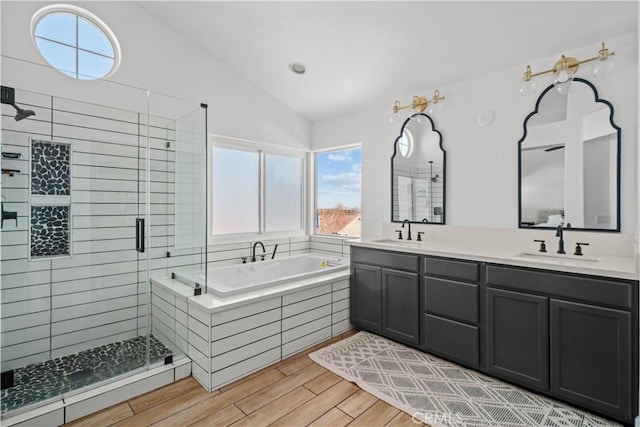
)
(45, 380)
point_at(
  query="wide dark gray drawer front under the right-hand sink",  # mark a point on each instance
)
(590, 289)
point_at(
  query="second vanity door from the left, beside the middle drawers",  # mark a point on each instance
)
(400, 305)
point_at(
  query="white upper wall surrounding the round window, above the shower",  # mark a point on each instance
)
(153, 57)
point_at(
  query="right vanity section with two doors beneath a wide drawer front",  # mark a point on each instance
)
(567, 335)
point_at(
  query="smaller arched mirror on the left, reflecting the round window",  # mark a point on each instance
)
(418, 173)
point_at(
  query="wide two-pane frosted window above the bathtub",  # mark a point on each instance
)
(256, 191)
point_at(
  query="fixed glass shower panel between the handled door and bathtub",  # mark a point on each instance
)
(177, 202)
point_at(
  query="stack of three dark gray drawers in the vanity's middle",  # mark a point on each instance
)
(451, 310)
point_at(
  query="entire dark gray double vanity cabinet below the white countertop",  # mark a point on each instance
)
(568, 336)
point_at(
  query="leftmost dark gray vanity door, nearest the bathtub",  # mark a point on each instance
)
(366, 297)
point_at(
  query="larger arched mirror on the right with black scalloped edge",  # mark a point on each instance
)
(569, 161)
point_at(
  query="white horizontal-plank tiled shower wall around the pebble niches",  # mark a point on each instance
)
(60, 306)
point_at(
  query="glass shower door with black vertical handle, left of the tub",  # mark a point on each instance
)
(75, 304)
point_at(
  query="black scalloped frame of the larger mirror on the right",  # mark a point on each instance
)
(618, 131)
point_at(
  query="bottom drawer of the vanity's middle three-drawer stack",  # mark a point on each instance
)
(453, 339)
